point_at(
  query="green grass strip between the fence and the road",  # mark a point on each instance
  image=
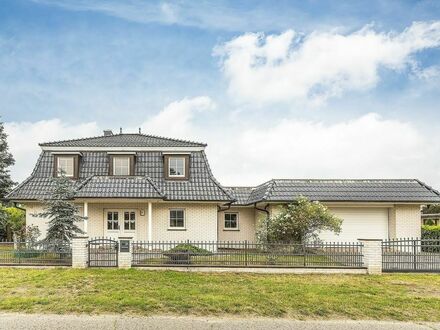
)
(138, 292)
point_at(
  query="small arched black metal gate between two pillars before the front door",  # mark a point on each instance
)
(103, 252)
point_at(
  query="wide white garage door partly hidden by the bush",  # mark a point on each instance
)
(359, 223)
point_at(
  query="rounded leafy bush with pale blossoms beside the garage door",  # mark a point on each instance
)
(300, 221)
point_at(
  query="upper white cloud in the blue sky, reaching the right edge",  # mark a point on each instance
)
(291, 67)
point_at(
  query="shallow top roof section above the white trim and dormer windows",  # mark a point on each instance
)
(124, 140)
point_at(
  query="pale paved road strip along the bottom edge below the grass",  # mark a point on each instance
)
(45, 322)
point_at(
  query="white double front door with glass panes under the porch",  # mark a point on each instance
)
(120, 222)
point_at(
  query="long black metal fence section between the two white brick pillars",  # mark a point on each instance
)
(247, 254)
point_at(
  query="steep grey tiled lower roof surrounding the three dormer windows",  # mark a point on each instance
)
(148, 181)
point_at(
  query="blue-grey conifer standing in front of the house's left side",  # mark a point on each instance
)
(62, 212)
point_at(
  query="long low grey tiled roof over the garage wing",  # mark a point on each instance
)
(278, 190)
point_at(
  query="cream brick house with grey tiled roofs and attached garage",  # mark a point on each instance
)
(161, 189)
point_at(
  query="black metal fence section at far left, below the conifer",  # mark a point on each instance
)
(27, 254)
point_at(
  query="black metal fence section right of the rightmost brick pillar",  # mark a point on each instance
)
(411, 255)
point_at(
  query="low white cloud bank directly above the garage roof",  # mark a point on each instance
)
(365, 147)
